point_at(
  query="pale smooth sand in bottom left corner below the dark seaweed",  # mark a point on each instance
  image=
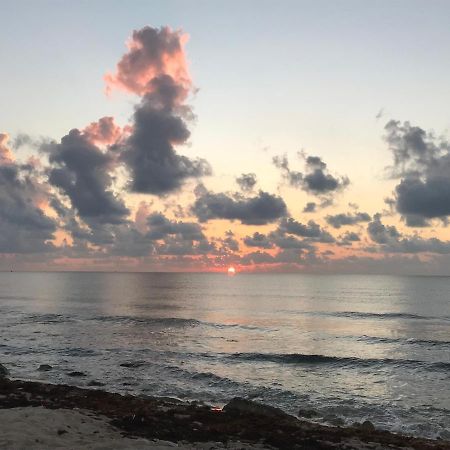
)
(38, 428)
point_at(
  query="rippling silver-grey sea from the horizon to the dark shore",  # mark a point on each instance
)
(350, 347)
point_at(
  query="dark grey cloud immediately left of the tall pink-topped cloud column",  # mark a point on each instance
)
(83, 173)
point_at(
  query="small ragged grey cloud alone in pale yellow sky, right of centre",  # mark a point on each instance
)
(316, 178)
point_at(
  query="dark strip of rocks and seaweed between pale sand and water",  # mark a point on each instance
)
(188, 423)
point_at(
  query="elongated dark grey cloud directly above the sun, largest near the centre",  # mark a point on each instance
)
(260, 209)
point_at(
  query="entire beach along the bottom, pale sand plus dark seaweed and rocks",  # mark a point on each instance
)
(35, 415)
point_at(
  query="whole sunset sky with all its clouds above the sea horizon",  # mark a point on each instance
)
(269, 136)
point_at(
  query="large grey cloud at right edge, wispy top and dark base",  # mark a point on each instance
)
(422, 162)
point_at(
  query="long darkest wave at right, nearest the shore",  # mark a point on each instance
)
(349, 361)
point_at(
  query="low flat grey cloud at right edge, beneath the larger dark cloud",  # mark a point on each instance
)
(392, 241)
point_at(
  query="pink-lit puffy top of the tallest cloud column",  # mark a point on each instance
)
(152, 52)
